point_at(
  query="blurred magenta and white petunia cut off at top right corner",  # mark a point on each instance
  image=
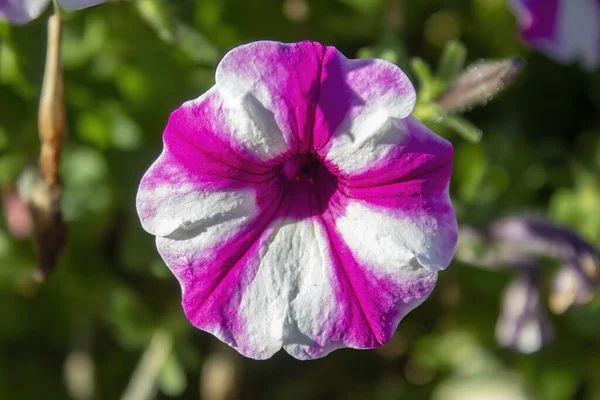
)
(565, 30)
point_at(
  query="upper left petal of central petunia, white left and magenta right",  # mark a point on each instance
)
(270, 90)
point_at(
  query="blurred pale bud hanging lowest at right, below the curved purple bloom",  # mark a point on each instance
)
(523, 324)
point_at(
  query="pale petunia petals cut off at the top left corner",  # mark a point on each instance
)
(23, 11)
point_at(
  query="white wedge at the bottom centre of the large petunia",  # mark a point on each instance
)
(291, 297)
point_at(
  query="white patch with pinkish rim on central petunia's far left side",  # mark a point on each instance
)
(171, 202)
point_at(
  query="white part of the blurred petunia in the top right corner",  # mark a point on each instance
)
(579, 31)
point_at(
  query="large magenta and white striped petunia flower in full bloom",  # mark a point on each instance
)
(299, 204)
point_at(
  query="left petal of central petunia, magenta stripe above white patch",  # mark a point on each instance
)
(200, 180)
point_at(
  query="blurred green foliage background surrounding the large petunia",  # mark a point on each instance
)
(82, 333)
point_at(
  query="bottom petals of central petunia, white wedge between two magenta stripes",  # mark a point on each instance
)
(318, 296)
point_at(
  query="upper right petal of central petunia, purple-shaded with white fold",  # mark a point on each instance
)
(360, 103)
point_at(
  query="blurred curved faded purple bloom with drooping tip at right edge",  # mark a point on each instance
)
(519, 243)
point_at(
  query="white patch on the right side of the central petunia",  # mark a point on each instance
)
(396, 244)
